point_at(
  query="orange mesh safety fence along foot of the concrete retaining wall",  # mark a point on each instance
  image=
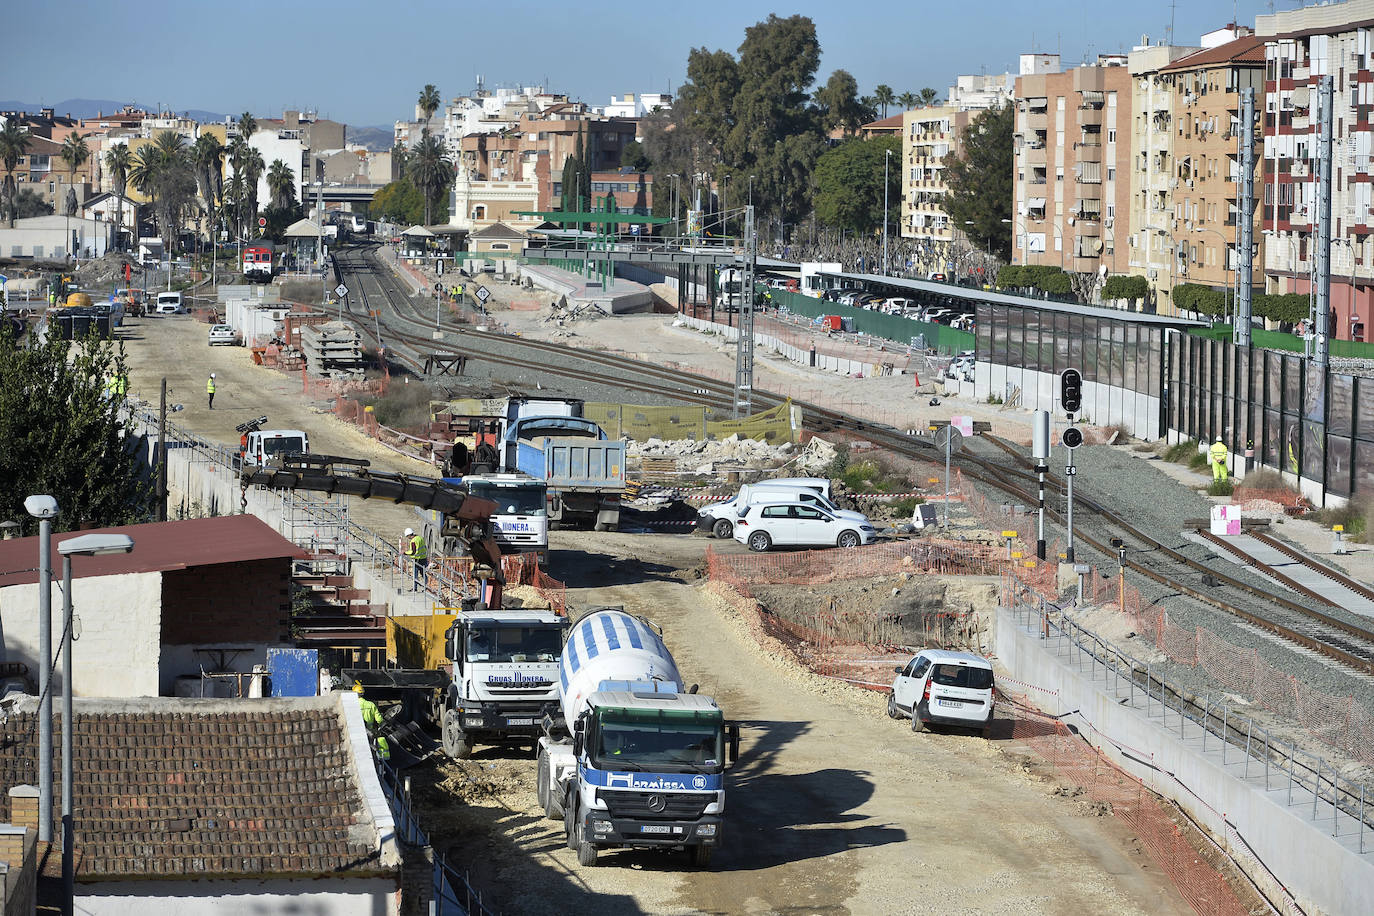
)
(1112, 790)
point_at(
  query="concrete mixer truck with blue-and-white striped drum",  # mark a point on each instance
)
(638, 760)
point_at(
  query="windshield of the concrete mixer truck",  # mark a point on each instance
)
(659, 741)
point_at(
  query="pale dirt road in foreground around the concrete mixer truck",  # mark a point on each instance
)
(833, 808)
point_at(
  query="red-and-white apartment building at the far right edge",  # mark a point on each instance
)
(1300, 47)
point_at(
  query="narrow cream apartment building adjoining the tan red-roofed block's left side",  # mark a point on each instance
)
(1148, 226)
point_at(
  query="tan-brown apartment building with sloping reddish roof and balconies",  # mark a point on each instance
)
(1207, 167)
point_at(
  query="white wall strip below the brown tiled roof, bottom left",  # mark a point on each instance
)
(333, 896)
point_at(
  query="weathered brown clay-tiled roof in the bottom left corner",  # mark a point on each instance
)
(160, 794)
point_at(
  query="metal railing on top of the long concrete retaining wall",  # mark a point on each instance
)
(1240, 738)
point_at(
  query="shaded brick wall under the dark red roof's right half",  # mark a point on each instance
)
(227, 604)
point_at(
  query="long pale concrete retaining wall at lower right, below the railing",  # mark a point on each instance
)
(1322, 873)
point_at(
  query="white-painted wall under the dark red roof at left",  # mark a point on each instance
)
(119, 632)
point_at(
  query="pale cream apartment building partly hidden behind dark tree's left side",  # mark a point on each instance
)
(930, 142)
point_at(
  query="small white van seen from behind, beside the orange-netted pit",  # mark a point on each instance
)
(947, 689)
